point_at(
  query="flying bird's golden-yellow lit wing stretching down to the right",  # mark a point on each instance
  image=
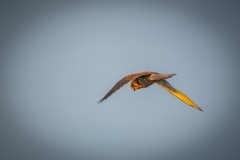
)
(164, 84)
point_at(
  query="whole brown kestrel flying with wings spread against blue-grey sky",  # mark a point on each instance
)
(145, 79)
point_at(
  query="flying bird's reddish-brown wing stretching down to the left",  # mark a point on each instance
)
(122, 82)
